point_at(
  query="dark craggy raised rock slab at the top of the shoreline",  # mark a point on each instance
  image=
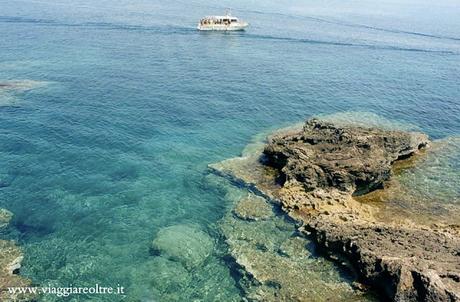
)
(323, 155)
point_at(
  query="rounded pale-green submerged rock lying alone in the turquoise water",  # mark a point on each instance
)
(184, 243)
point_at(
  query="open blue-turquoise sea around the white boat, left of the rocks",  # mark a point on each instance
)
(114, 109)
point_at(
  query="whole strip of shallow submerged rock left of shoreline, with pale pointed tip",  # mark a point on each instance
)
(274, 262)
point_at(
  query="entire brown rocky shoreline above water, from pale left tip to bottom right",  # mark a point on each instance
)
(317, 175)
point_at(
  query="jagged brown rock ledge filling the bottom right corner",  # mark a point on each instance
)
(405, 264)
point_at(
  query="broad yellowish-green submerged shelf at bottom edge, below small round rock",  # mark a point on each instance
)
(275, 264)
